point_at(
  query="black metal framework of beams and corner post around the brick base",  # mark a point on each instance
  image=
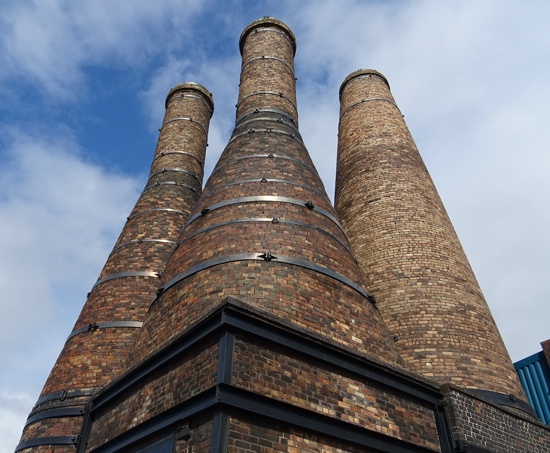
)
(224, 323)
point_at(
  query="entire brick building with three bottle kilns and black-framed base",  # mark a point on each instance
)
(252, 315)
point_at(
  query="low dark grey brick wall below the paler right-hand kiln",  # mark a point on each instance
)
(477, 423)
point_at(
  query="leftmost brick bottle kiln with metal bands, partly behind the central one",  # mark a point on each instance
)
(117, 305)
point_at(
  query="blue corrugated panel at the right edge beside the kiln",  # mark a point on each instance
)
(535, 377)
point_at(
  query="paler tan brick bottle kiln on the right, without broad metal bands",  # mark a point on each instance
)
(407, 249)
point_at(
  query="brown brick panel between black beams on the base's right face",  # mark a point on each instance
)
(271, 371)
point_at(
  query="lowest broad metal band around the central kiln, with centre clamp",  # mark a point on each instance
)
(273, 259)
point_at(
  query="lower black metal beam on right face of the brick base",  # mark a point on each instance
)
(308, 420)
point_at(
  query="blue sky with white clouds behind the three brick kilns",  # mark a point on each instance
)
(82, 89)
